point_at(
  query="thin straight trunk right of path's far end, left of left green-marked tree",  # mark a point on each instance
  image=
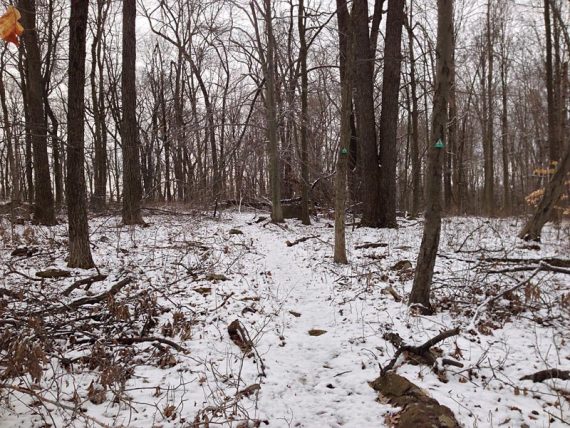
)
(305, 219)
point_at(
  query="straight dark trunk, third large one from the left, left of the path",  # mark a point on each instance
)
(132, 187)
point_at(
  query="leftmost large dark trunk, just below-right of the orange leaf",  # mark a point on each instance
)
(44, 210)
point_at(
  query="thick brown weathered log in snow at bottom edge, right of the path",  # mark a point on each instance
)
(418, 409)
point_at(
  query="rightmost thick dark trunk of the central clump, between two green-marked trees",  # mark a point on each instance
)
(390, 109)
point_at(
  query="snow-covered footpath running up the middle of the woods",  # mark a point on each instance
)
(314, 380)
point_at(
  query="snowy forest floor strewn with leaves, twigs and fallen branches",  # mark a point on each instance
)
(198, 322)
